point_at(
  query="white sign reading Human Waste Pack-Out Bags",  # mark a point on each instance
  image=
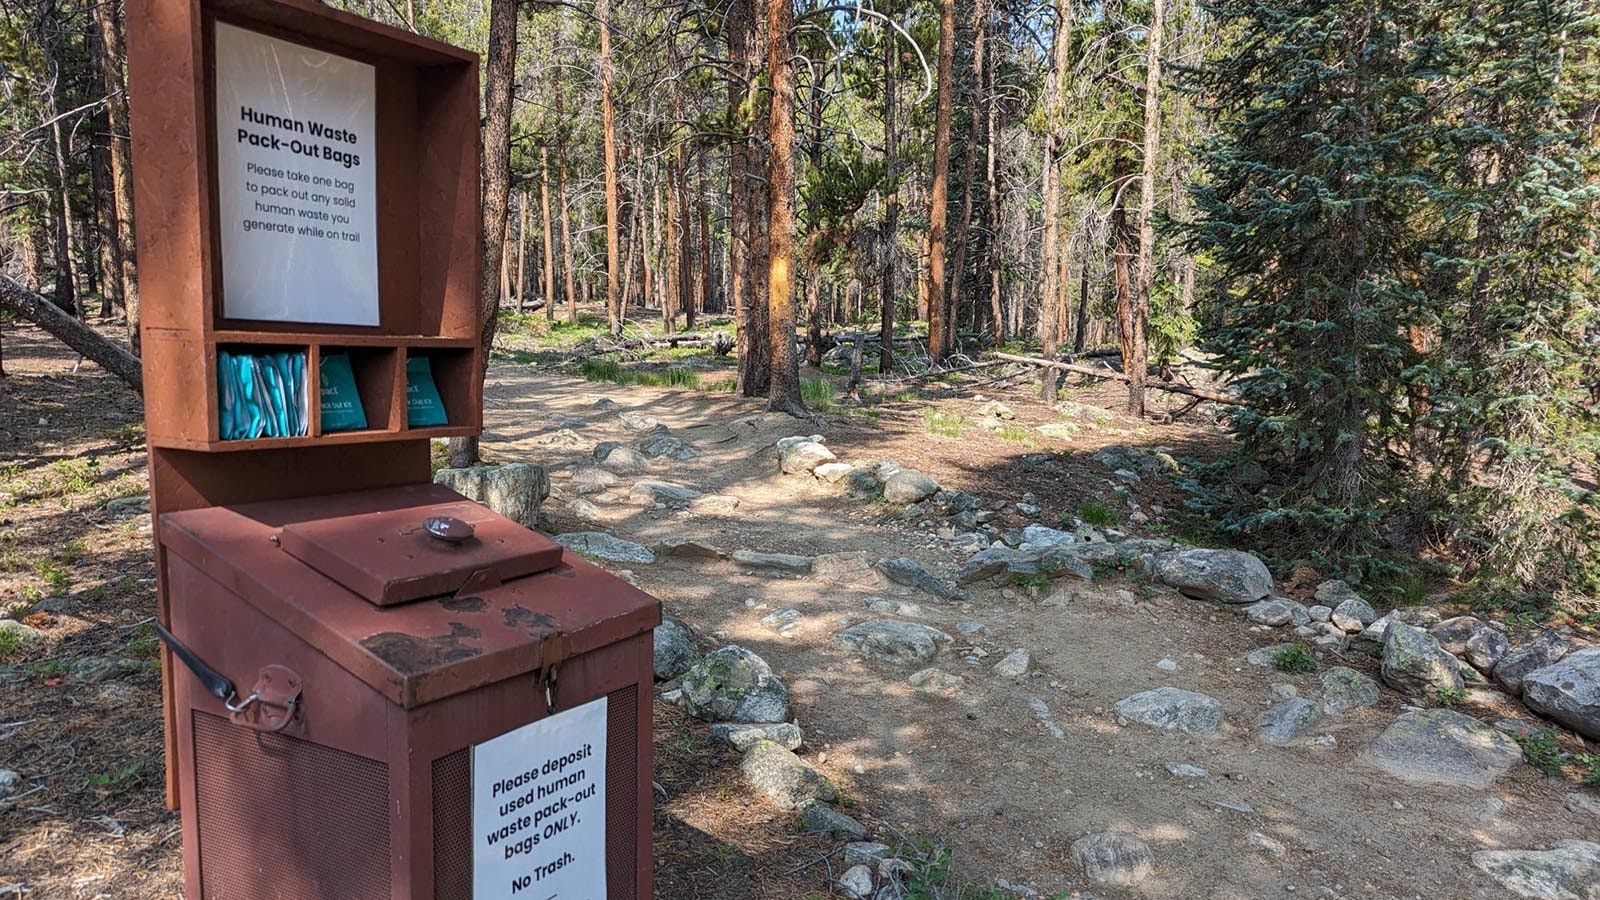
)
(295, 179)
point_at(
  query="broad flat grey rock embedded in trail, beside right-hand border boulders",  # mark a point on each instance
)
(1442, 747)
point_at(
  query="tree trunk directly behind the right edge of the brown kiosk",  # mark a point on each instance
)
(500, 79)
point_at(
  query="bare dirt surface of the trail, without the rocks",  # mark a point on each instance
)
(982, 771)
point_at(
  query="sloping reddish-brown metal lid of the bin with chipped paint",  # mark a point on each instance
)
(422, 651)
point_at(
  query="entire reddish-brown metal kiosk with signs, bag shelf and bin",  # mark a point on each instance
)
(375, 688)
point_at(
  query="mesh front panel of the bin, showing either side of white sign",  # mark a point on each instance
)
(454, 810)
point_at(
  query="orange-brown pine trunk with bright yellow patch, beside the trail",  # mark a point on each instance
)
(785, 393)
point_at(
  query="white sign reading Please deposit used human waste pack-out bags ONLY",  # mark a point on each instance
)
(538, 810)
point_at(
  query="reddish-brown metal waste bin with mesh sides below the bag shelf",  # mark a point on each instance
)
(399, 694)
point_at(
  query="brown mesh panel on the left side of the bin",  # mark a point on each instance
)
(282, 818)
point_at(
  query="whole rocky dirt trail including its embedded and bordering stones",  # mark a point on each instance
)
(998, 702)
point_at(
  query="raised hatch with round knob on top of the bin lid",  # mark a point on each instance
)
(391, 558)
